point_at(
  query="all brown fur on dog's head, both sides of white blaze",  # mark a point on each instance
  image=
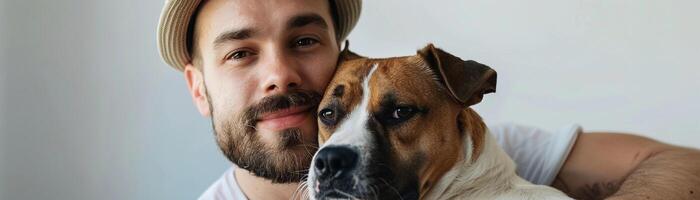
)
(432, 142)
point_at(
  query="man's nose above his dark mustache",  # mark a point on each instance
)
(281, 74)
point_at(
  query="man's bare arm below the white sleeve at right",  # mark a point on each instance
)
(622, 166)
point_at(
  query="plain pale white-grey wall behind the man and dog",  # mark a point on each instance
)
(89, 111)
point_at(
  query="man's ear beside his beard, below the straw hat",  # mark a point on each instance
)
(198, 91)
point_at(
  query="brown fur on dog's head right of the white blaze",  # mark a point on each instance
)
(432, 141)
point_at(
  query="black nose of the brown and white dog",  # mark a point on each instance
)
(335, 161)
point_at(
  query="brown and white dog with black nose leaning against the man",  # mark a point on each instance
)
(401, 128)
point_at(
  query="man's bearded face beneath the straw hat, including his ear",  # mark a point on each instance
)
(264, 66)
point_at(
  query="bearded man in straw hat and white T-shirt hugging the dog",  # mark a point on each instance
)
(257, 68)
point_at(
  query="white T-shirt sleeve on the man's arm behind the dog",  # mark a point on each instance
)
(538, 154)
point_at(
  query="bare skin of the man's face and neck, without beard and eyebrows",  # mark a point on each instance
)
(267, 63)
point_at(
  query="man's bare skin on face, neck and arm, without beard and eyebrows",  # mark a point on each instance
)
(638, 166)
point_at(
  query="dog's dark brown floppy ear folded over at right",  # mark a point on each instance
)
(467, 81)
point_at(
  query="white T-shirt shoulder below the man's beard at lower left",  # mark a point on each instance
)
(224, 188)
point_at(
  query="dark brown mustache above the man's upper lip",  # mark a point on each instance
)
(278, 102)
